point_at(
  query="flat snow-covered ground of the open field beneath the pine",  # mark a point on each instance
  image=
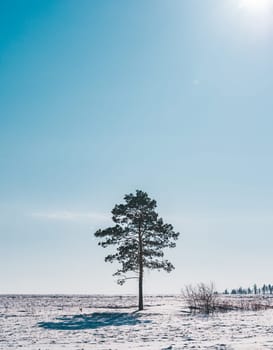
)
(110, 323)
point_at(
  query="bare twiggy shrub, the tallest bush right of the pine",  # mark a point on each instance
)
(201, 298)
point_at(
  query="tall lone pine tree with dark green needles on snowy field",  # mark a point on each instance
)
(140, 237)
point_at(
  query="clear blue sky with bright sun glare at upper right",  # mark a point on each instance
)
(99, 98)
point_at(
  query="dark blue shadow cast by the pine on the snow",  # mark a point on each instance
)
(95, 320)
